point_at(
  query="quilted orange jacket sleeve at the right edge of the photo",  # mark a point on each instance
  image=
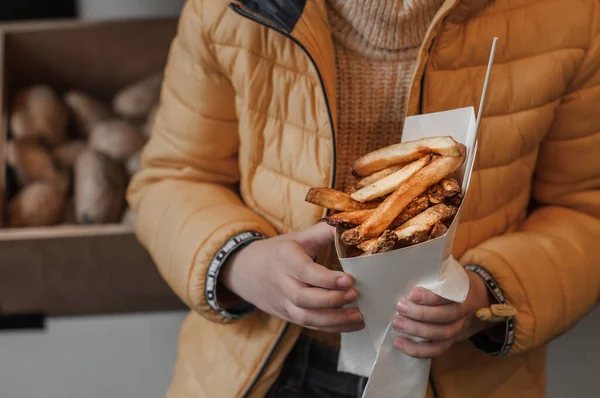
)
(550, 269)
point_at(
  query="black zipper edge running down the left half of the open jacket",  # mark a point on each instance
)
(264, 22)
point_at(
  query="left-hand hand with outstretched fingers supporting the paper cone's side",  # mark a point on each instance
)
(278, 275)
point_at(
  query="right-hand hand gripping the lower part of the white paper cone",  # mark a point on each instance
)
(439, 321)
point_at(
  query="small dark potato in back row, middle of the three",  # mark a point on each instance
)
(87, 111)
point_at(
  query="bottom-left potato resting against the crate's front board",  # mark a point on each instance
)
(40, 204)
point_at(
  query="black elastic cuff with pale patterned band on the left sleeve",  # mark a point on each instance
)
(232, 245)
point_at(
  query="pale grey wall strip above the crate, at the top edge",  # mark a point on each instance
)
(119, 9)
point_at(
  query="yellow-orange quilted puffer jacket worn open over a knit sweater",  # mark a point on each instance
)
(246, 126)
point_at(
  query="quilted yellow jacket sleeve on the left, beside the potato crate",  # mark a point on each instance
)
(185, 195)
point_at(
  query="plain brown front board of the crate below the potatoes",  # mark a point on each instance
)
(80, 275)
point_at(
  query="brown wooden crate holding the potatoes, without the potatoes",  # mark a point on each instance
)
(78, 269)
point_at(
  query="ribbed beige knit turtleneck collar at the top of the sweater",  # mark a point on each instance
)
(381, 27)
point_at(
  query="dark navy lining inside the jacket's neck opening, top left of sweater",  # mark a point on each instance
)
(285, 13)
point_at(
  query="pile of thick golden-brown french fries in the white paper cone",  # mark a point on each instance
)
(404, 195)
